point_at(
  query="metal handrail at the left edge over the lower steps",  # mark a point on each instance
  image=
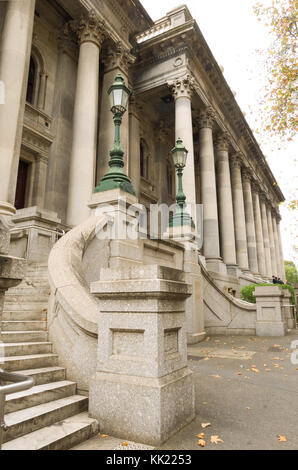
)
(20, 383)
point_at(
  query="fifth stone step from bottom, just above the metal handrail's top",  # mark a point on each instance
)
(17, 363)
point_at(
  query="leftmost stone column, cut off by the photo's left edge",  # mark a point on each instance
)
(15, 48)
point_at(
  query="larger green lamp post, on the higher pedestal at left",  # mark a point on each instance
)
(116, 178)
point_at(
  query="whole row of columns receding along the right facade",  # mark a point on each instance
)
(240, 226)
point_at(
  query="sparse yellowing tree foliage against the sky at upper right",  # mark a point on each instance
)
(281, 92)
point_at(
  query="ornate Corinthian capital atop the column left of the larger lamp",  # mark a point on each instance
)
(90, 29)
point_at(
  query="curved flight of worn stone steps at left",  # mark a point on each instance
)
(49, 416)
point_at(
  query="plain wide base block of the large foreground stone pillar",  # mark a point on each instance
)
(143, 409)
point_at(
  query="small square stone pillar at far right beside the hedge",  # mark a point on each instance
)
(271, 319)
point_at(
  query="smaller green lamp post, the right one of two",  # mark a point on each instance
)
(181, 217)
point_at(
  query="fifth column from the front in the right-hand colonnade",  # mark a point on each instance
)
(250, 223)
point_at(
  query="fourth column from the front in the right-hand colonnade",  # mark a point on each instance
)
(239, 214)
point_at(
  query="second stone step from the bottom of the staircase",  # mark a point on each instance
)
(26, 421)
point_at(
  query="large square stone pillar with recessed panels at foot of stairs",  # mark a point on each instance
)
(143, 389)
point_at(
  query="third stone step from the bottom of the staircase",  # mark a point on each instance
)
(38, 395)
